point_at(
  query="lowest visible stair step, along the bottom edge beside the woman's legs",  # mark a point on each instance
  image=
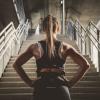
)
(29, 96)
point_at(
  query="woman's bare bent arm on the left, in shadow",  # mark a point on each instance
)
(23, 58)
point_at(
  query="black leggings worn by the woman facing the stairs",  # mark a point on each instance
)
(50, 91)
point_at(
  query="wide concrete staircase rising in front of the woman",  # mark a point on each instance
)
(13, 88)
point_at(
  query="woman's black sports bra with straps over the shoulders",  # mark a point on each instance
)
(45, 61)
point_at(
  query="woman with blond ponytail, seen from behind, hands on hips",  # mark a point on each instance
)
(50, 55)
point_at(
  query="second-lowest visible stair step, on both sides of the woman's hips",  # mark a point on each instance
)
(30, 90)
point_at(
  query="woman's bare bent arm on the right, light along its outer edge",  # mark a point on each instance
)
(81, 61)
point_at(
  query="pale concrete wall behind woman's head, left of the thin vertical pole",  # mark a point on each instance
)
(53, 8)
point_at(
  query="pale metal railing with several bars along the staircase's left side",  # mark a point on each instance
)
(7, 37)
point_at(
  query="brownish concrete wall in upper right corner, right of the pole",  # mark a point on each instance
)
(85, 10)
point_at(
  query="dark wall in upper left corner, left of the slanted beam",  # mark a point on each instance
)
(7, 13)
